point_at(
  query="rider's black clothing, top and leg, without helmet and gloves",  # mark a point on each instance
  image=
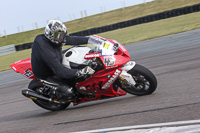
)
(46, 61)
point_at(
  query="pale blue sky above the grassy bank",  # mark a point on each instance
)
(22, 15)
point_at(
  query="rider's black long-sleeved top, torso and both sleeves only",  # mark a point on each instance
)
(46, 57)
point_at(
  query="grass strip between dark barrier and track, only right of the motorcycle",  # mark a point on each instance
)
(155, 29)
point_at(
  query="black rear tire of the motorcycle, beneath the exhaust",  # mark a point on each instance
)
(49, 105)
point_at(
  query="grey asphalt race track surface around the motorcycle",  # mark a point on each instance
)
(174, 59)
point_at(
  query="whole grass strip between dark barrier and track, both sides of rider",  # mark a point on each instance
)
(128, 35)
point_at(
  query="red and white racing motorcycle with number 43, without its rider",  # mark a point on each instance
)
(115, 75)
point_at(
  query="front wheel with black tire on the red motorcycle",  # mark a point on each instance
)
(146, 82)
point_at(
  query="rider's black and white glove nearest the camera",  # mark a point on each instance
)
(85, 71)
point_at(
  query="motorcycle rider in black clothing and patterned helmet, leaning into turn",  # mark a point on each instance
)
(46, 58)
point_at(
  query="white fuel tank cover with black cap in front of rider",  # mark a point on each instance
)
(75, 55)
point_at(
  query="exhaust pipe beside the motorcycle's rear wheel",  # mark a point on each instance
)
(35, 96)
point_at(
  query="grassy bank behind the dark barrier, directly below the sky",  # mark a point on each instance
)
(103, 19)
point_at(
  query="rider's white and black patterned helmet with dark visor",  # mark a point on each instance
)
(56, 32)
